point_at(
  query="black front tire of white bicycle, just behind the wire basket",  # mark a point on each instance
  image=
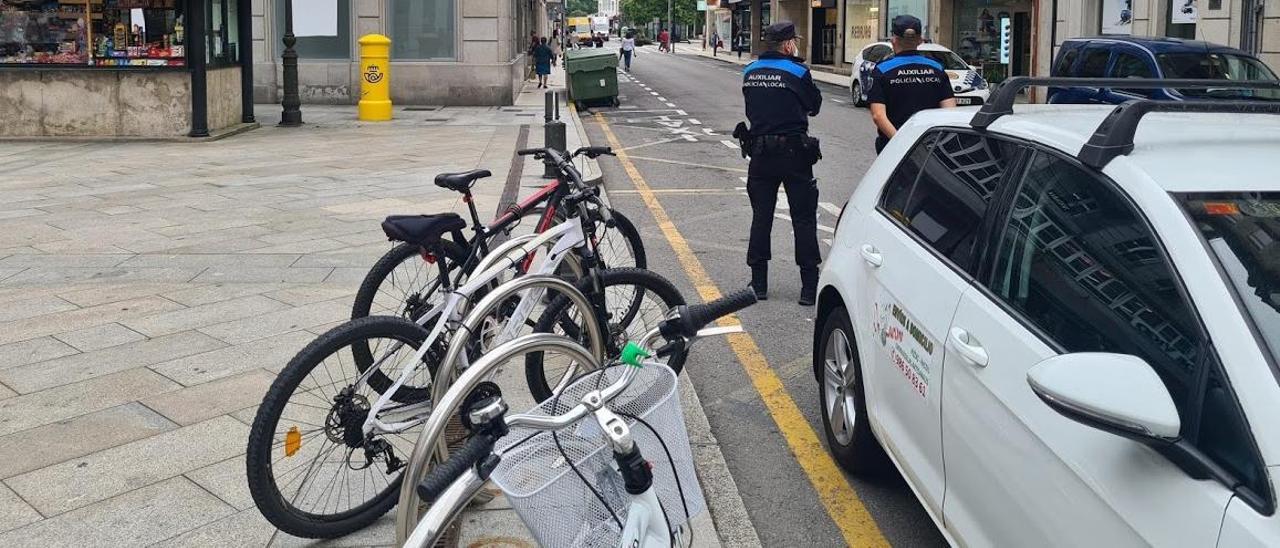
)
(556, 316)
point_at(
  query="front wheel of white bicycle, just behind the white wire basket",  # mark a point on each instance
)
(636, 302)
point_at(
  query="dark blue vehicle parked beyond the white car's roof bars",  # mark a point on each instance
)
(1154, 58)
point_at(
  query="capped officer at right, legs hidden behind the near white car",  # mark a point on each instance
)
(907, 83)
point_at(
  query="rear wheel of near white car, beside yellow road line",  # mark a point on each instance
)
(844, 405)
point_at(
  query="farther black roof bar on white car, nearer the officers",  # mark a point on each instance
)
(1002, 102)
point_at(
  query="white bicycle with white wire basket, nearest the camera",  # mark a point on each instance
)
(531, 465)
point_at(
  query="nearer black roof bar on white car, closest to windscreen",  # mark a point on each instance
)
(1114, 136)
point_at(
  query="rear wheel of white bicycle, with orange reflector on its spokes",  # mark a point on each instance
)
(312, 471)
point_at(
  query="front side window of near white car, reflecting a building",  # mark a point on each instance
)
(1080, 263)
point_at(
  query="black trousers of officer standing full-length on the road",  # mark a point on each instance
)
(764, 177)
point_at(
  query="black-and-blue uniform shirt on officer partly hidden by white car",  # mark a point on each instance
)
(907, 84)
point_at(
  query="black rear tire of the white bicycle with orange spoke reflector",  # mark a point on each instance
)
(260, 469)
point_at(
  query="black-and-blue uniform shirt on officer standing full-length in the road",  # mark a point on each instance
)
(780, 95)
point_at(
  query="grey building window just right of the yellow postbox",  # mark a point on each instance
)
(423, 30)
